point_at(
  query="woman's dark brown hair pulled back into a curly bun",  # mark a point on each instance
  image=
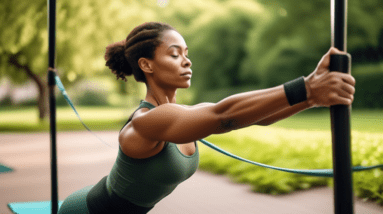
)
(122, 57)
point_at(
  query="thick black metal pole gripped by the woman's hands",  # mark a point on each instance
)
(340, 115)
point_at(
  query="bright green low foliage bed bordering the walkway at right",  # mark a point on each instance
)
(292, 149)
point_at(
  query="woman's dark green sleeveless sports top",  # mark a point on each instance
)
(145, 182)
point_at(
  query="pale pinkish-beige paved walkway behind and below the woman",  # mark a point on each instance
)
(83, 160)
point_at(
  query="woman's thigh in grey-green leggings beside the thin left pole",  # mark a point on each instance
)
(76, 202)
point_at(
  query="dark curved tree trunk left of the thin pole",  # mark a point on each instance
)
(43, 101)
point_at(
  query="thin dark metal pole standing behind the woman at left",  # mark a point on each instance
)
(52, 101)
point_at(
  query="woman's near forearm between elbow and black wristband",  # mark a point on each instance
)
(248, 108)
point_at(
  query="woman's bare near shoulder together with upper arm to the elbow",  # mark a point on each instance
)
(149, 129)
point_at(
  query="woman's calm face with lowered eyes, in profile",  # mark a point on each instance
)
(171, 65)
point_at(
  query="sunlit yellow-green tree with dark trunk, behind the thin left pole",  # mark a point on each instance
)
(84, 29)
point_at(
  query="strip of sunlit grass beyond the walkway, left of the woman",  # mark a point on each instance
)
(96, 118)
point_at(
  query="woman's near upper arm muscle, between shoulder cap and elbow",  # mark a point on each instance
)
(177, 124)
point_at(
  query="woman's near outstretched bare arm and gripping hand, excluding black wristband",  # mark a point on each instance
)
(179, 124)
